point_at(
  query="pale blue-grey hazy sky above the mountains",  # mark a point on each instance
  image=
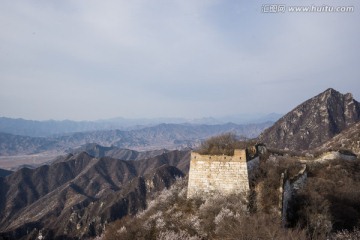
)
(88, 60)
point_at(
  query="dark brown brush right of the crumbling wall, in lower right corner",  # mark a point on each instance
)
(330, 201)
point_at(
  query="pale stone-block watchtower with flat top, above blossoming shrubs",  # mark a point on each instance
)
(210, 174)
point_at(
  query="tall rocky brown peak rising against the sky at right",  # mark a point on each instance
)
(313, 122)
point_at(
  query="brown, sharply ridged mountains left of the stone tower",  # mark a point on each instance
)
(77, 196)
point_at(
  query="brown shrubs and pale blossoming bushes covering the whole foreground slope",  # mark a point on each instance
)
(327, 207)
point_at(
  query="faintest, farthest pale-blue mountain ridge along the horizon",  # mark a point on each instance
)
(49, 128)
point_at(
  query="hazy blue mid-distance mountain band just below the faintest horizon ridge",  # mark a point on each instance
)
(169, 136)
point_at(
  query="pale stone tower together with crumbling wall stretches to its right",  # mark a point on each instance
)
(212, 175)
